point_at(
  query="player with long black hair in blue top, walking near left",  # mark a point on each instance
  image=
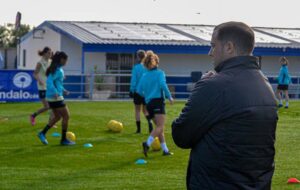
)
(55, 97)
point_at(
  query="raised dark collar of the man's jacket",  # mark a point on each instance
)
(248, 61)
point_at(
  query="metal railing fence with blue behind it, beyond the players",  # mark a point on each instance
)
(112, 86)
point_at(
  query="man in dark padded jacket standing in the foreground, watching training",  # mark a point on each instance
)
(230, 119)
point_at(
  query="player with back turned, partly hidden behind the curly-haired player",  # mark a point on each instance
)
(139, 102)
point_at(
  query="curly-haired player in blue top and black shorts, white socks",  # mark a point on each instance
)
(154, 88)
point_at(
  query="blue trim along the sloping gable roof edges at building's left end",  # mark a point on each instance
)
(54, 28)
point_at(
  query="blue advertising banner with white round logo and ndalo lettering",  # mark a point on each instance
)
(18, 86)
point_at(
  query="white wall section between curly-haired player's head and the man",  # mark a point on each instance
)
(184, 64)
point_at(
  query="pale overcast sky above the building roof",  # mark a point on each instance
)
(276, 13)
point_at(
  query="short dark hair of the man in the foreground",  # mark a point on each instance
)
(240, 34)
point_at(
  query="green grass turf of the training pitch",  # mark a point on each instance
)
(27, 164)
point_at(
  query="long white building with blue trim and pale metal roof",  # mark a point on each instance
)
(181, 48)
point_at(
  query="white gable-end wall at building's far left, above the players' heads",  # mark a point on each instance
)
(32, 46)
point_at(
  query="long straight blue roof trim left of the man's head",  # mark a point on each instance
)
(121, 48)
